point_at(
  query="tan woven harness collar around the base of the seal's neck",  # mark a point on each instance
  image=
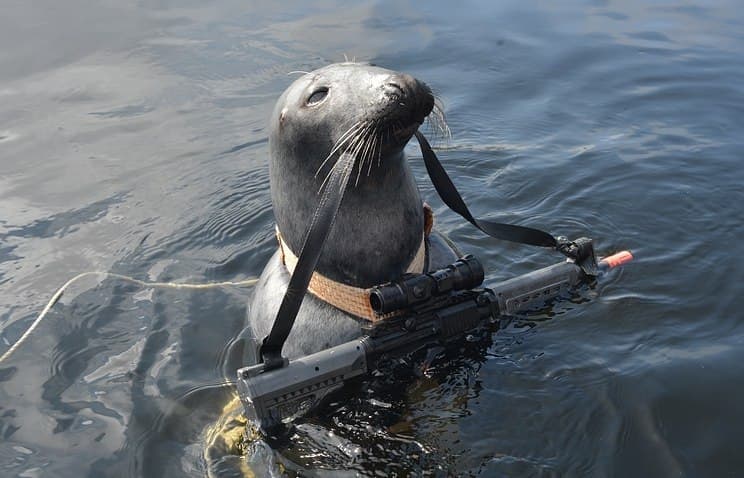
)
(350, 299)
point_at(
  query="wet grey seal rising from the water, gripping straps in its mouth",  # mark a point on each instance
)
(379, 232)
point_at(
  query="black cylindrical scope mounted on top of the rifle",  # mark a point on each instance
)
(412, 289)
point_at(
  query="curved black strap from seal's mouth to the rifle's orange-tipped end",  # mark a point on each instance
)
(451, 197)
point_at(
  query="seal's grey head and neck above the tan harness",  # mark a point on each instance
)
(370, 112)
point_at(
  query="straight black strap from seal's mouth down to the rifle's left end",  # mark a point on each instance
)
(320, 226)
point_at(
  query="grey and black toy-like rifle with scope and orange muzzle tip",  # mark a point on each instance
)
(422, 310)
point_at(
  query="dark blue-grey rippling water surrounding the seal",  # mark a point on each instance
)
(133, 140)
